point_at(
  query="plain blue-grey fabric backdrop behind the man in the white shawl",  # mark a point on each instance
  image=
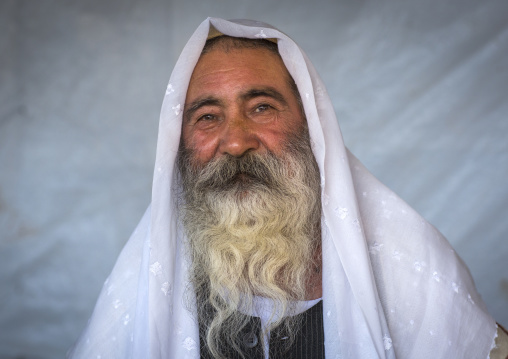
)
(420, 89)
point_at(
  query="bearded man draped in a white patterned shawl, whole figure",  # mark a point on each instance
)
(266, 238)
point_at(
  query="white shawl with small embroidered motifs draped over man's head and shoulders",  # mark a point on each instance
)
(392, 285)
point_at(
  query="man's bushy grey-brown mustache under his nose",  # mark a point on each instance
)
(248, 171)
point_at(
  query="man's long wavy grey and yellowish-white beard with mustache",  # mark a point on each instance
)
(253, 230)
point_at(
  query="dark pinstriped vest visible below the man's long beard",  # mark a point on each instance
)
(308, 344)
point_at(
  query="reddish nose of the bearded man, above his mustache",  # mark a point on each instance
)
(238, 138)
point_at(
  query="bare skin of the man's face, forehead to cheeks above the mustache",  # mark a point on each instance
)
(239, 102)
